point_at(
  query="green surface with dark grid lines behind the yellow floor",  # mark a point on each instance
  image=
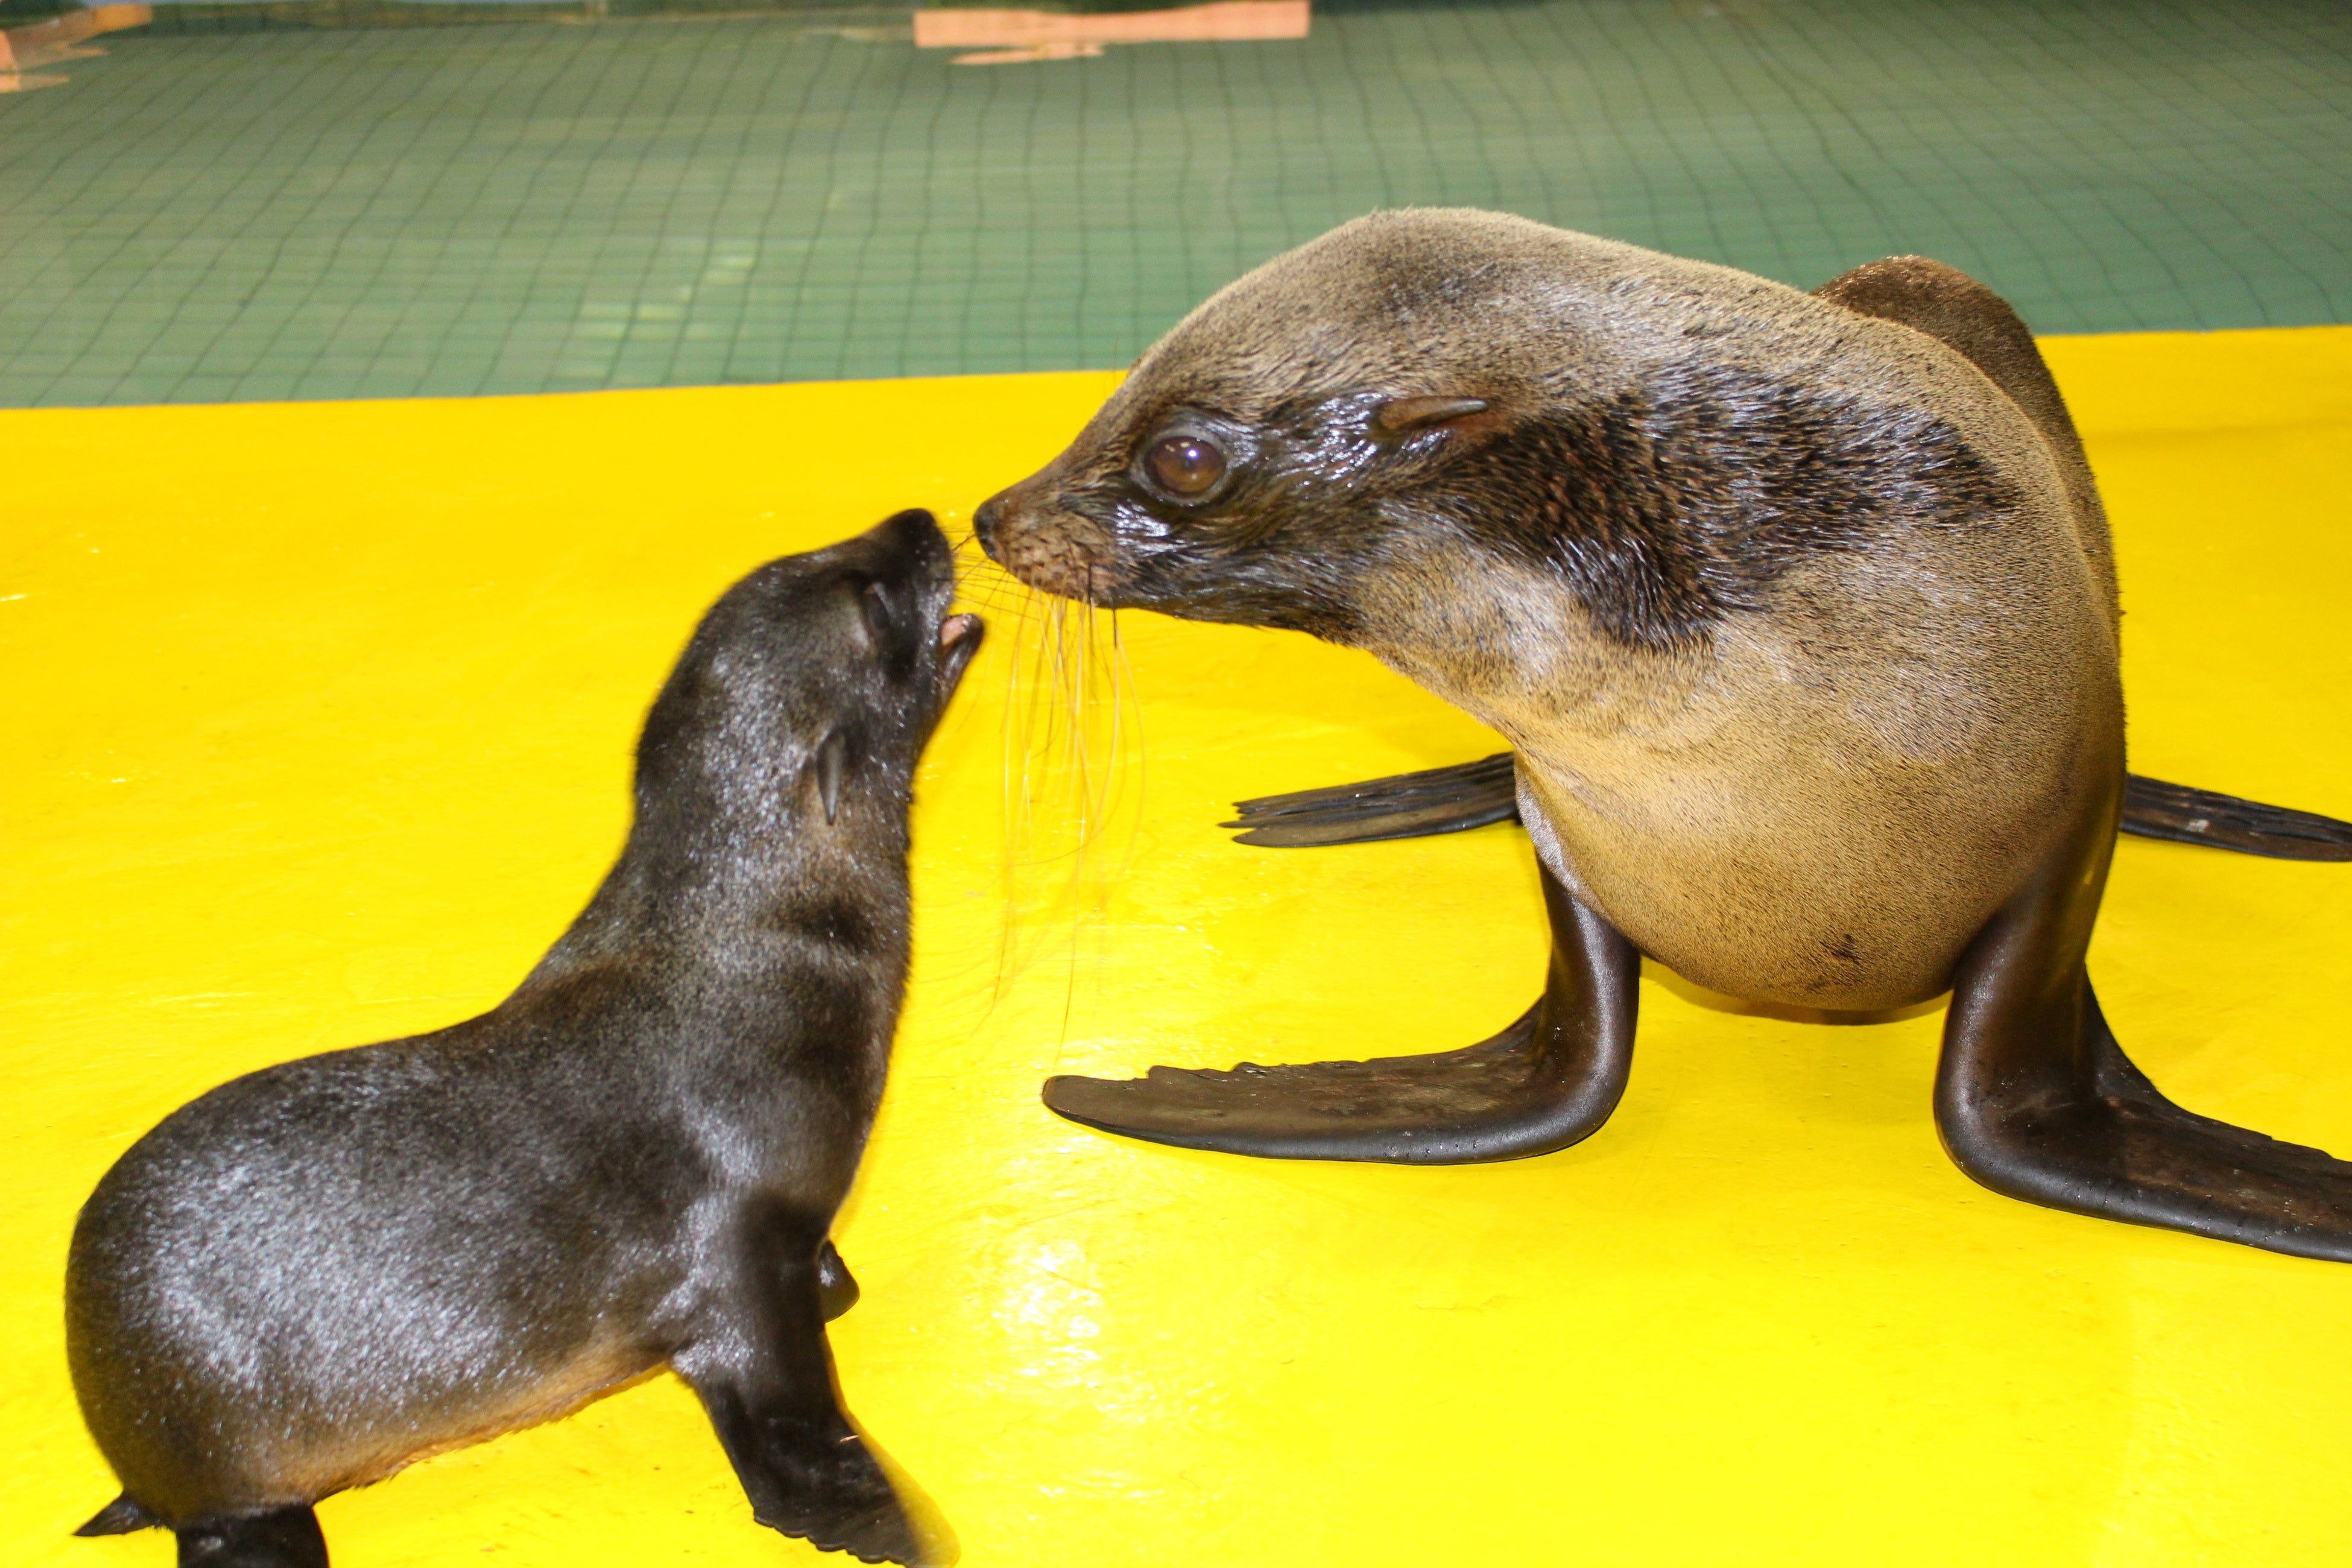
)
(667, 201)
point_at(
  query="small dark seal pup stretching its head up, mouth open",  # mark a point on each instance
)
(326, 1271)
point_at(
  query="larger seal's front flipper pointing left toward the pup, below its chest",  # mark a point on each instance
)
(1537, 1087)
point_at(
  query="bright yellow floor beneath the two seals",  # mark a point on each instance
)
(319, 732)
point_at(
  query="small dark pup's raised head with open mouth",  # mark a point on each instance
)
(810, 690)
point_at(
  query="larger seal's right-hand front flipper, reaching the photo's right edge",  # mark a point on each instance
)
(2038, 1101)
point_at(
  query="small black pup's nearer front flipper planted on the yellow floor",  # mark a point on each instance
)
(766, 1376)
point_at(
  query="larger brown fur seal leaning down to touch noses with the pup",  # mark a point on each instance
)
(1798, 610)
